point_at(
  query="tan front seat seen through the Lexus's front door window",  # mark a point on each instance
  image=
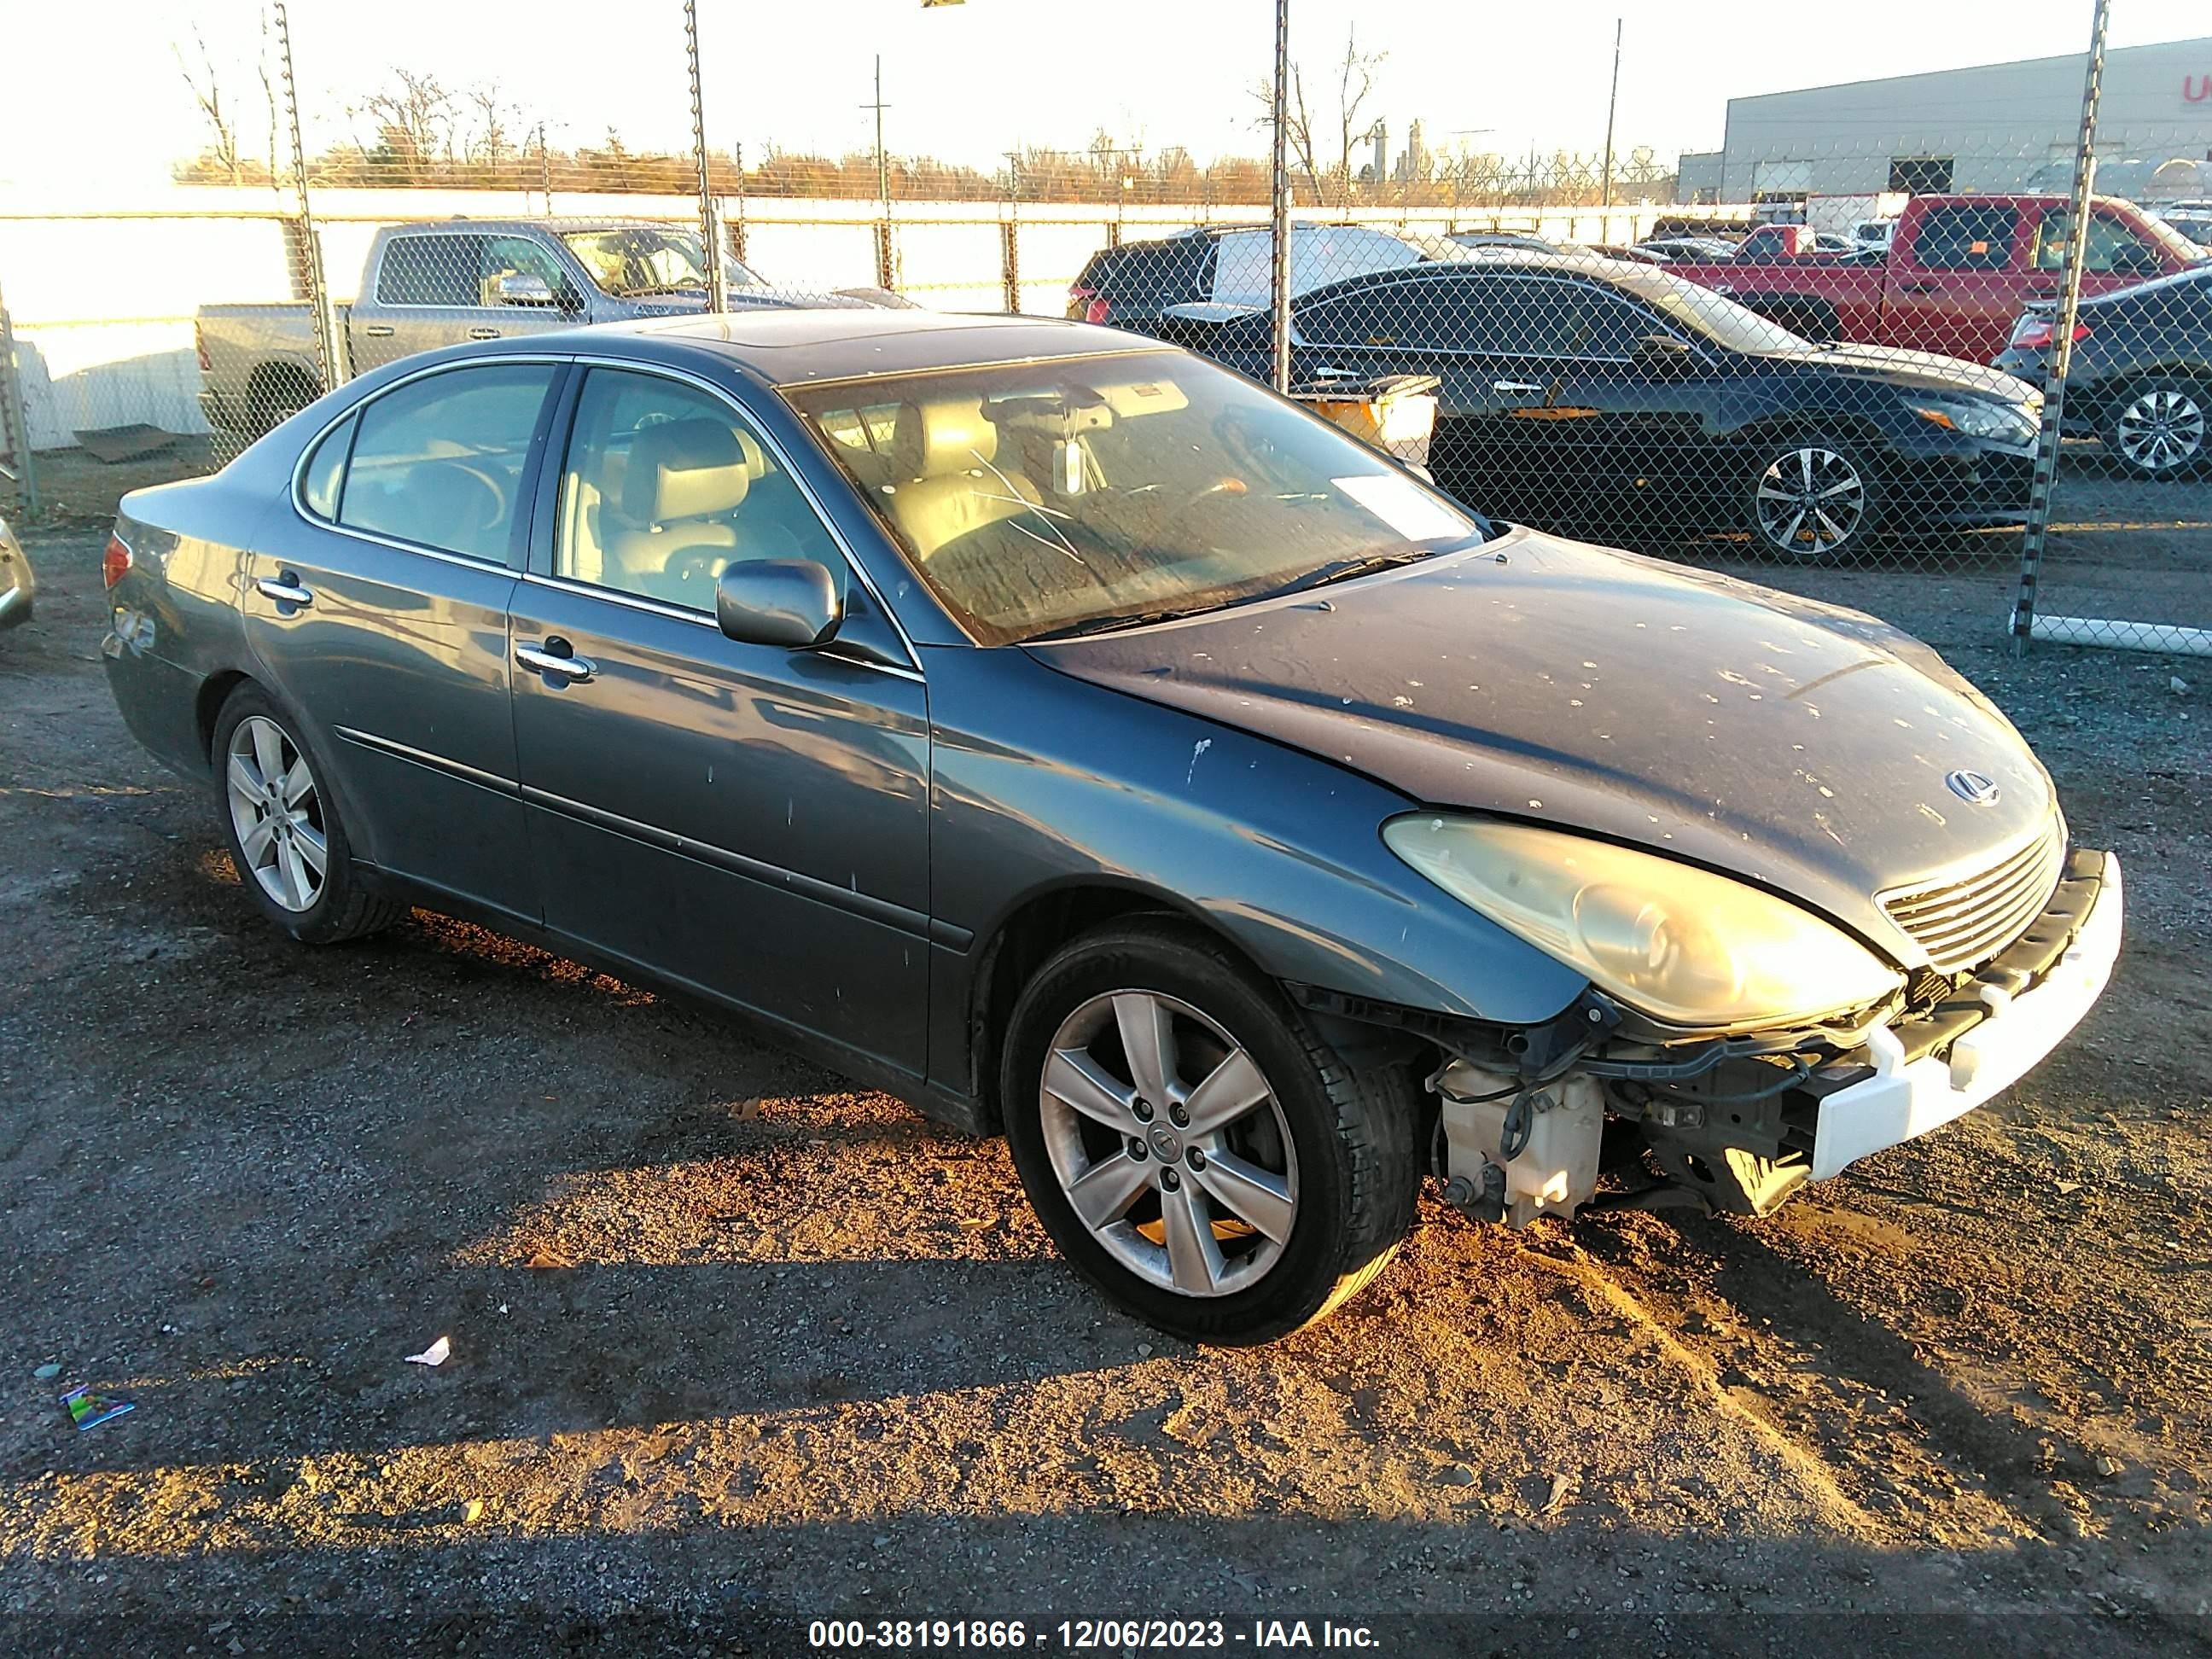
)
(680, 494)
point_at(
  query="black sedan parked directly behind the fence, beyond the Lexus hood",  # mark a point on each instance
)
(1620, 401)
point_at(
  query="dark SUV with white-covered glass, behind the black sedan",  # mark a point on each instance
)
(1142, 282)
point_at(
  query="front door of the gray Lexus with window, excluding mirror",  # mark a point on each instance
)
(744, 820)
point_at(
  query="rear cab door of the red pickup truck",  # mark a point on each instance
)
(1957, 284)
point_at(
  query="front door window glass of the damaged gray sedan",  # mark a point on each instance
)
(667, 488)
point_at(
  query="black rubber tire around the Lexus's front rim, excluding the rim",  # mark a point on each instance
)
(1264, 1025)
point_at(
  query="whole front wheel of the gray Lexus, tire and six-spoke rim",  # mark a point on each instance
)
(1193, 1147)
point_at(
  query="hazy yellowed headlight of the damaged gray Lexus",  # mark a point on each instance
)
(1673, 941)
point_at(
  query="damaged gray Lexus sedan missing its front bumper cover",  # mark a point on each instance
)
(1085, 744)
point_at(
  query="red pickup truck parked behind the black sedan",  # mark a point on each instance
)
(1957, 275)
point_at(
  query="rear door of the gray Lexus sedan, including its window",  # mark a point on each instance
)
(377, 607)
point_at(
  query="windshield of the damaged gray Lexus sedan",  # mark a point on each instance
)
(1043, 497)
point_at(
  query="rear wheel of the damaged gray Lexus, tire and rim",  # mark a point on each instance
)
(284, 828)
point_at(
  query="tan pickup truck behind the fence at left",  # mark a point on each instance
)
(470, 280)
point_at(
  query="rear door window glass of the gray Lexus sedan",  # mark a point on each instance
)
(441, 461)
